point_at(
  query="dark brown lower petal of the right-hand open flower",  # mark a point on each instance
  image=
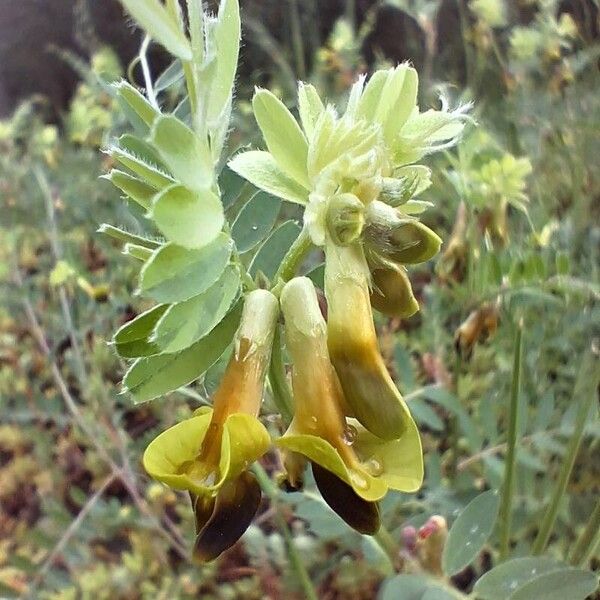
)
(361, 515)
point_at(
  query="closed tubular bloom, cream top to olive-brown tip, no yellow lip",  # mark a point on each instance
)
(368, 388)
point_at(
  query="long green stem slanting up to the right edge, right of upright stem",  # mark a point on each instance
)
(585, 394)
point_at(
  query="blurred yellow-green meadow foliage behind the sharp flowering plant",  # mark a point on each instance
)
(519, 205)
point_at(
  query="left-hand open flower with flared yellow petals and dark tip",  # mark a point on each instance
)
(209, 454)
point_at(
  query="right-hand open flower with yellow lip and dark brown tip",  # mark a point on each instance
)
(352, 467)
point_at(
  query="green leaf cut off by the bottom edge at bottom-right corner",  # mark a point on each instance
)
(574, 584)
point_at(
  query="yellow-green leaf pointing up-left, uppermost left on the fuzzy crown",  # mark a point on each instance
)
(282, 134)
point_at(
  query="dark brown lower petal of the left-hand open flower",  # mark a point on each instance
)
(235, 507)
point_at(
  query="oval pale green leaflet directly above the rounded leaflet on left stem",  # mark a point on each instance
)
(186, 156)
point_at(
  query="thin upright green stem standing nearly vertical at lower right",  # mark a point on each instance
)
(505, 515)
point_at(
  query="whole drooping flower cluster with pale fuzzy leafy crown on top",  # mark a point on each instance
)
(355, 173)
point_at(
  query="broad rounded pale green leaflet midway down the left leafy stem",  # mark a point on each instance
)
(189, 219)
